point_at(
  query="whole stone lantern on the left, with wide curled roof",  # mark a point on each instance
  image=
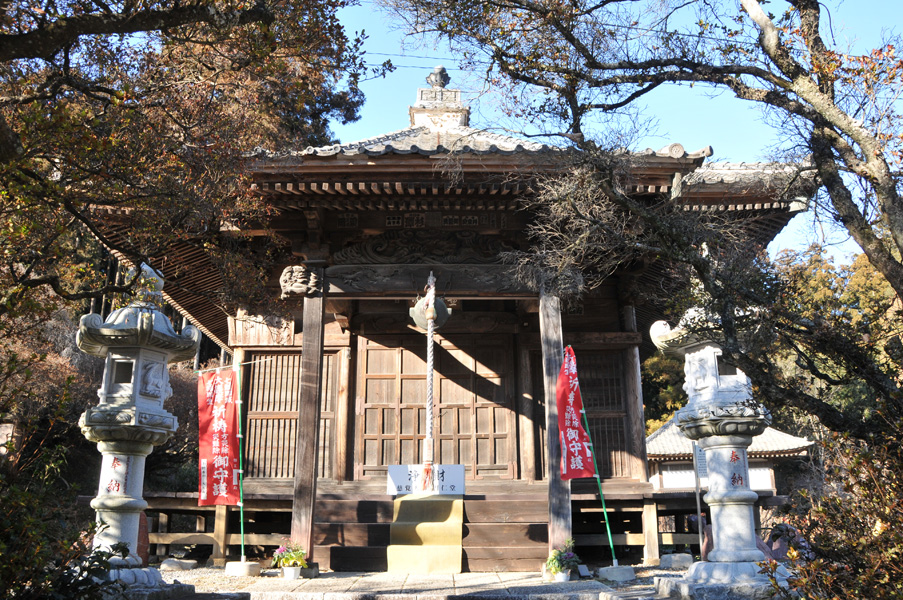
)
(138, 343)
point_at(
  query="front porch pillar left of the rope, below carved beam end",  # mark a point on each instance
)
(307, 442)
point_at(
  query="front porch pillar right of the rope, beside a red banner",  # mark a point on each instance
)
(552, 357)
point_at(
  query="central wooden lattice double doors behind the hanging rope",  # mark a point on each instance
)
(474, 420)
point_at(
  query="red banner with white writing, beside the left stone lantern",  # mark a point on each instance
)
(217, 431)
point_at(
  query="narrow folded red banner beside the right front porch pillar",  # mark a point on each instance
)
(576, 448)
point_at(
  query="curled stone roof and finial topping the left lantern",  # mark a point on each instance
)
(140, 324)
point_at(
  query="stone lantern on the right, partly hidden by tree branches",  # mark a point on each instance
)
(722, 417)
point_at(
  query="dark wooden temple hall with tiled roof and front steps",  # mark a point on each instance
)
(336, 395)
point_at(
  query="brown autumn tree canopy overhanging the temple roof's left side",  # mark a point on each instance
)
(131, 124)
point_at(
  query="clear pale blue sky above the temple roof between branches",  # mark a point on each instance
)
(692, 117)
